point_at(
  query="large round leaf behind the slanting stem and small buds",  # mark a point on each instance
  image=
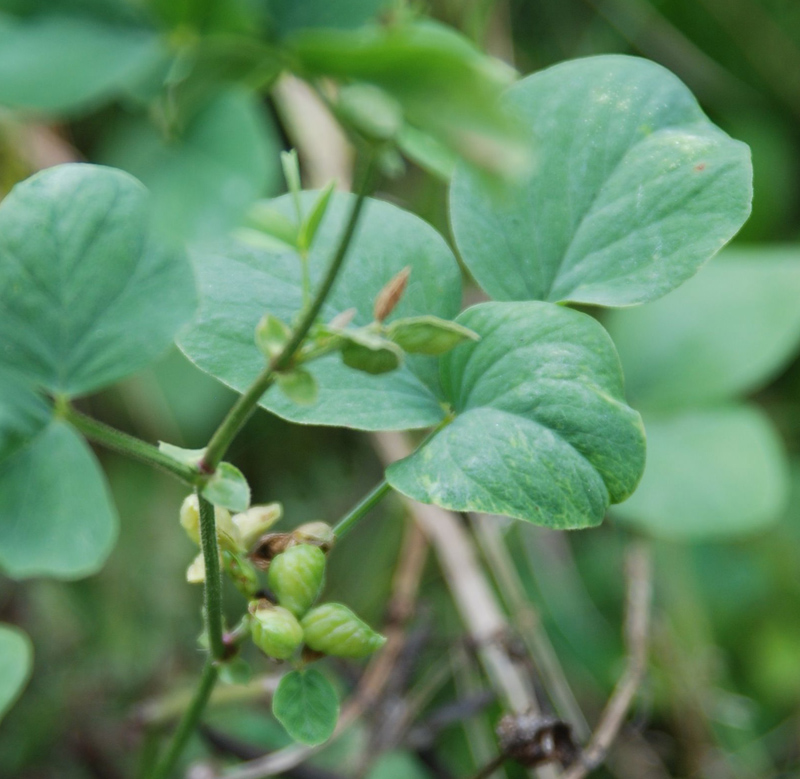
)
(239, 283)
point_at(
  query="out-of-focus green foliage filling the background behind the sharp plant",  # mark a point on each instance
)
(183, 94)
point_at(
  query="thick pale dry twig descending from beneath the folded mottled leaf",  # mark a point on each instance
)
(472, 593)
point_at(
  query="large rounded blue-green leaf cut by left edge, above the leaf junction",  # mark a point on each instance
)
(87, 295)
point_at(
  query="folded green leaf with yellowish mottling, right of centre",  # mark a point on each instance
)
(541, 432)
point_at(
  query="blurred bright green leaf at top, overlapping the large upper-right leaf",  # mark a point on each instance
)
(445, 85)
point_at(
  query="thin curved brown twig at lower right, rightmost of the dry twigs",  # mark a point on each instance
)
(637, 628)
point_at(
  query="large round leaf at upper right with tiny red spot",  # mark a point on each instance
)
(632, 191)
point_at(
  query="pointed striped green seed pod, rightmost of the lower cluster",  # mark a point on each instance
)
(334, 630)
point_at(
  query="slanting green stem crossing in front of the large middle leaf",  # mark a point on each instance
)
(246, 404)
